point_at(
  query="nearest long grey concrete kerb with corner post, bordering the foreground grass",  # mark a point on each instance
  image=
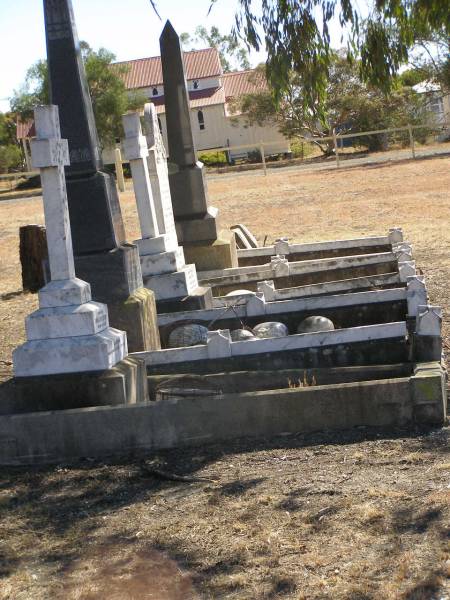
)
(49, 437)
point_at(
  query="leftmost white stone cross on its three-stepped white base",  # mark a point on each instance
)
(68, 333)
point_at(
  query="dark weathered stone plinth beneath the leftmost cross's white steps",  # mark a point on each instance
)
(125, 383)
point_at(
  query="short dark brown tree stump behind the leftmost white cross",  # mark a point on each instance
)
(33, 252)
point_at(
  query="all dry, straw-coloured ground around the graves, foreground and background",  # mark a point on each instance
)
(357, 516)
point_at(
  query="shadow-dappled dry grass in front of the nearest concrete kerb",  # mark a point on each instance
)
(296, 517)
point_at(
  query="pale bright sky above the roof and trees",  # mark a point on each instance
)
(129, 28)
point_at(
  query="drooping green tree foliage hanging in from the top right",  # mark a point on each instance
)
(296, 37)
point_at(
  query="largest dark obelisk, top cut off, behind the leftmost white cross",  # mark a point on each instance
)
(102, 257)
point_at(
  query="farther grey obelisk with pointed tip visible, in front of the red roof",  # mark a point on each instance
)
(196, 222)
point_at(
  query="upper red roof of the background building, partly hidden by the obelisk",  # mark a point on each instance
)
(145, 72)
